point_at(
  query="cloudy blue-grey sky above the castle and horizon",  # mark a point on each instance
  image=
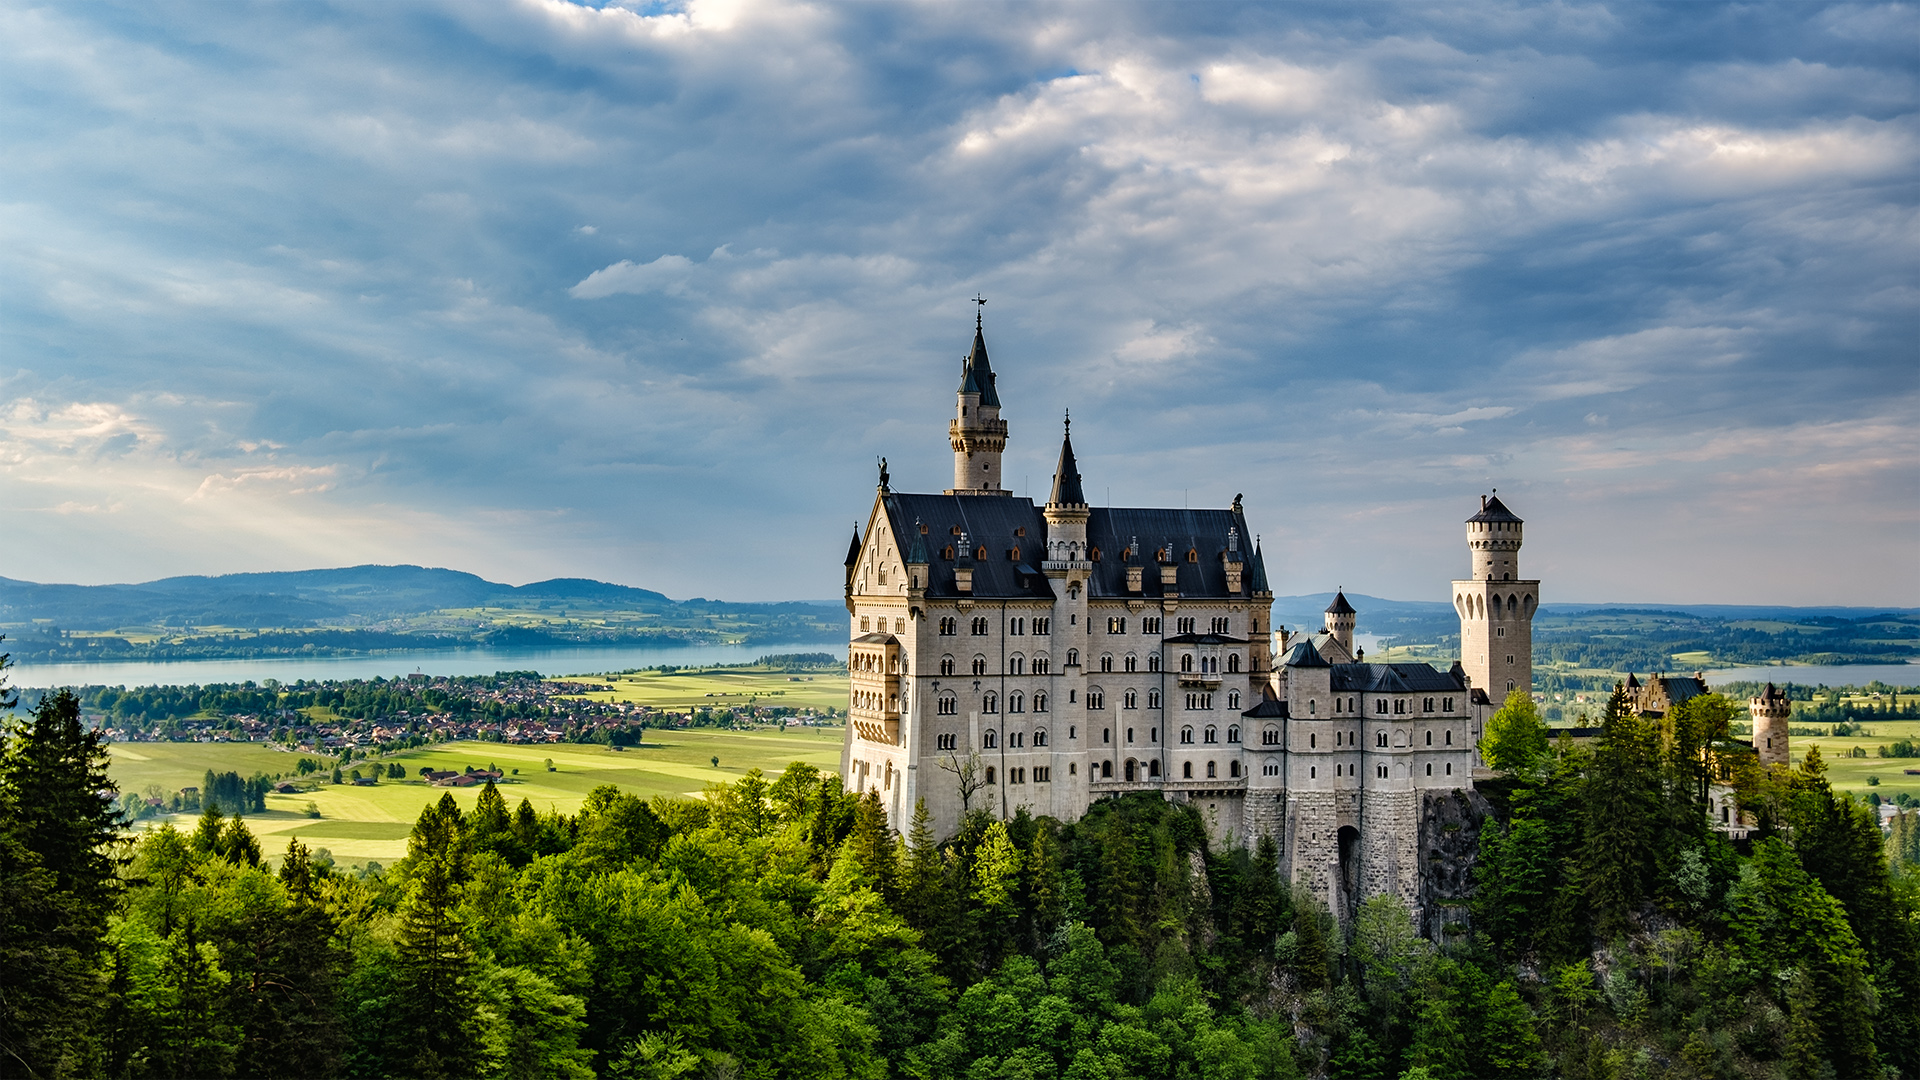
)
(539, 289)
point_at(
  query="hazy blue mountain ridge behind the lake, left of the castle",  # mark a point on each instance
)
(337, 597)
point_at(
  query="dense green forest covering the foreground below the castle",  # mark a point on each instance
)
(782, 929)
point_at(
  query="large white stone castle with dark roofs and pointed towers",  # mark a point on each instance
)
(1011, 656)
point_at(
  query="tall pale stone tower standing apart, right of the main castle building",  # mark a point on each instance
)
(1497, 606)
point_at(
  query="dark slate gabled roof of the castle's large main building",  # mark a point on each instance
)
(990, 522)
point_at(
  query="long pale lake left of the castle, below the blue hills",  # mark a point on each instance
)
(391, 666)
